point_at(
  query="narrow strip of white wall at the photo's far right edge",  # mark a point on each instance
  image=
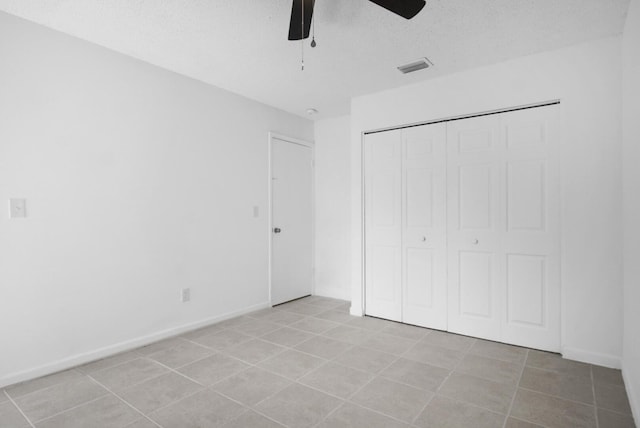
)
(631, 183)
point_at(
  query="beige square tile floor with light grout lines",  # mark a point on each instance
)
(310, 364)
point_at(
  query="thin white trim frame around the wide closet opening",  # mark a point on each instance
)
(361, 311)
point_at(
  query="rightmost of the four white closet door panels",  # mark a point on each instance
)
(531, 238)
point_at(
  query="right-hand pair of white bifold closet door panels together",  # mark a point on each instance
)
(503, 220)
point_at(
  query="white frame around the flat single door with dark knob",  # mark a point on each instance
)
(309, 144)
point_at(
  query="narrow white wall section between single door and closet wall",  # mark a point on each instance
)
(333, 208)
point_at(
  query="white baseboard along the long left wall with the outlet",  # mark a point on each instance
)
(107, 351)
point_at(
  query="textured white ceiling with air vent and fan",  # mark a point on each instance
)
(242, 46)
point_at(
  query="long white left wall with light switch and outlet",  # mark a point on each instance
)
(138, 182)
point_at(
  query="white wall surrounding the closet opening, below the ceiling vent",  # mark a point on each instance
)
(586, 78)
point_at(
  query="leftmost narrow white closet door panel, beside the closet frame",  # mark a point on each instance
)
(383, 225)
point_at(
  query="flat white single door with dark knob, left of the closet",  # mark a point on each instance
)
(292, 217)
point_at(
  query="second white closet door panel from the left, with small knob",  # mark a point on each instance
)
(424, 256)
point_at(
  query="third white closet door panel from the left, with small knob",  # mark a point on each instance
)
(476, 279)
